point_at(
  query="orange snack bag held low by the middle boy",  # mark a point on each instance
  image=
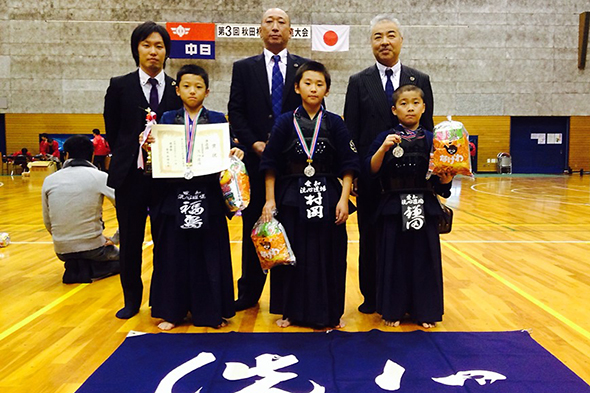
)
(272, 245)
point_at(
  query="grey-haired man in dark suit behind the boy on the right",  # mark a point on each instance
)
(367, 112)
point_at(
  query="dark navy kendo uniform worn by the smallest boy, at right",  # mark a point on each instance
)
(409, 267)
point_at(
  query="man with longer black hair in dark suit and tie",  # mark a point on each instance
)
(126, 102)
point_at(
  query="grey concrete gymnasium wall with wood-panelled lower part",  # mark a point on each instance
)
(487, 61)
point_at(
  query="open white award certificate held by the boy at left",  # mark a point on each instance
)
(174, 155)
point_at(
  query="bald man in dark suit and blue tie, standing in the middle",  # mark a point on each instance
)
(258, 95)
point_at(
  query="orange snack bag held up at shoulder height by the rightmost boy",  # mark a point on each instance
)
(450, 150)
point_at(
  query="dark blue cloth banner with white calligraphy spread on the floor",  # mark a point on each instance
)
(338, 362)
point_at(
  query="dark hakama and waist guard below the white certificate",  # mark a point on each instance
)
(192, 264)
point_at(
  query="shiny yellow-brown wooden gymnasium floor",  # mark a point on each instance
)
(518, 258)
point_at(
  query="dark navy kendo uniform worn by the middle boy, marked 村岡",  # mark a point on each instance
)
(311, 292)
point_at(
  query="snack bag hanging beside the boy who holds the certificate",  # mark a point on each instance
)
(235, 185)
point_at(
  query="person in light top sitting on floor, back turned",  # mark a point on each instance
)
(72, 213)
